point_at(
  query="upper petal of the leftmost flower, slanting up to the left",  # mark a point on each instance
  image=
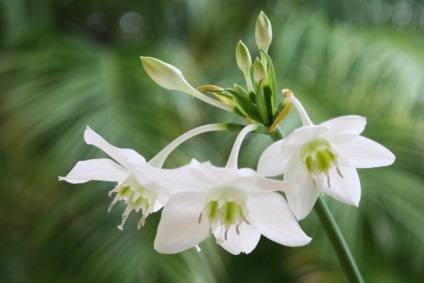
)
(119, 154)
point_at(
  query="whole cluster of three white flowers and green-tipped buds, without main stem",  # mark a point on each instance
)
(238, 205)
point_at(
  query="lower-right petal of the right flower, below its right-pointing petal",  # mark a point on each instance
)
(346, 189)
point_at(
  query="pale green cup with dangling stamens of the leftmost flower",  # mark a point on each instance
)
(136, 197)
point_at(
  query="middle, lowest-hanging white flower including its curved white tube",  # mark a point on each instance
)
(235, 205)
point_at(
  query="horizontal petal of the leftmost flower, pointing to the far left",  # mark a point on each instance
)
(102, 169)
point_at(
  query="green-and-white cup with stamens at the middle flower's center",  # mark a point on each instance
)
(225, 206)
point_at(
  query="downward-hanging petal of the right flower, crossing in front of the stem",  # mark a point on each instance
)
(303, 201)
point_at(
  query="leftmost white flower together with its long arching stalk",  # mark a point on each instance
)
(145, 194)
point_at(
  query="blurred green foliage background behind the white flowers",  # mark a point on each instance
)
(68, 64)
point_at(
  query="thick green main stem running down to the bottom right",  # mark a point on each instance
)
(333, 232)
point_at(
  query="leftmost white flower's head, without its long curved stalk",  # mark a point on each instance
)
(142, 195)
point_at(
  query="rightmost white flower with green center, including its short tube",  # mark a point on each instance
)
(324, 159)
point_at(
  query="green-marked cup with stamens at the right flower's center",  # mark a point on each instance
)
(319, 158)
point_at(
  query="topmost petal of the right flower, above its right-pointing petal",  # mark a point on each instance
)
(350, 124)
